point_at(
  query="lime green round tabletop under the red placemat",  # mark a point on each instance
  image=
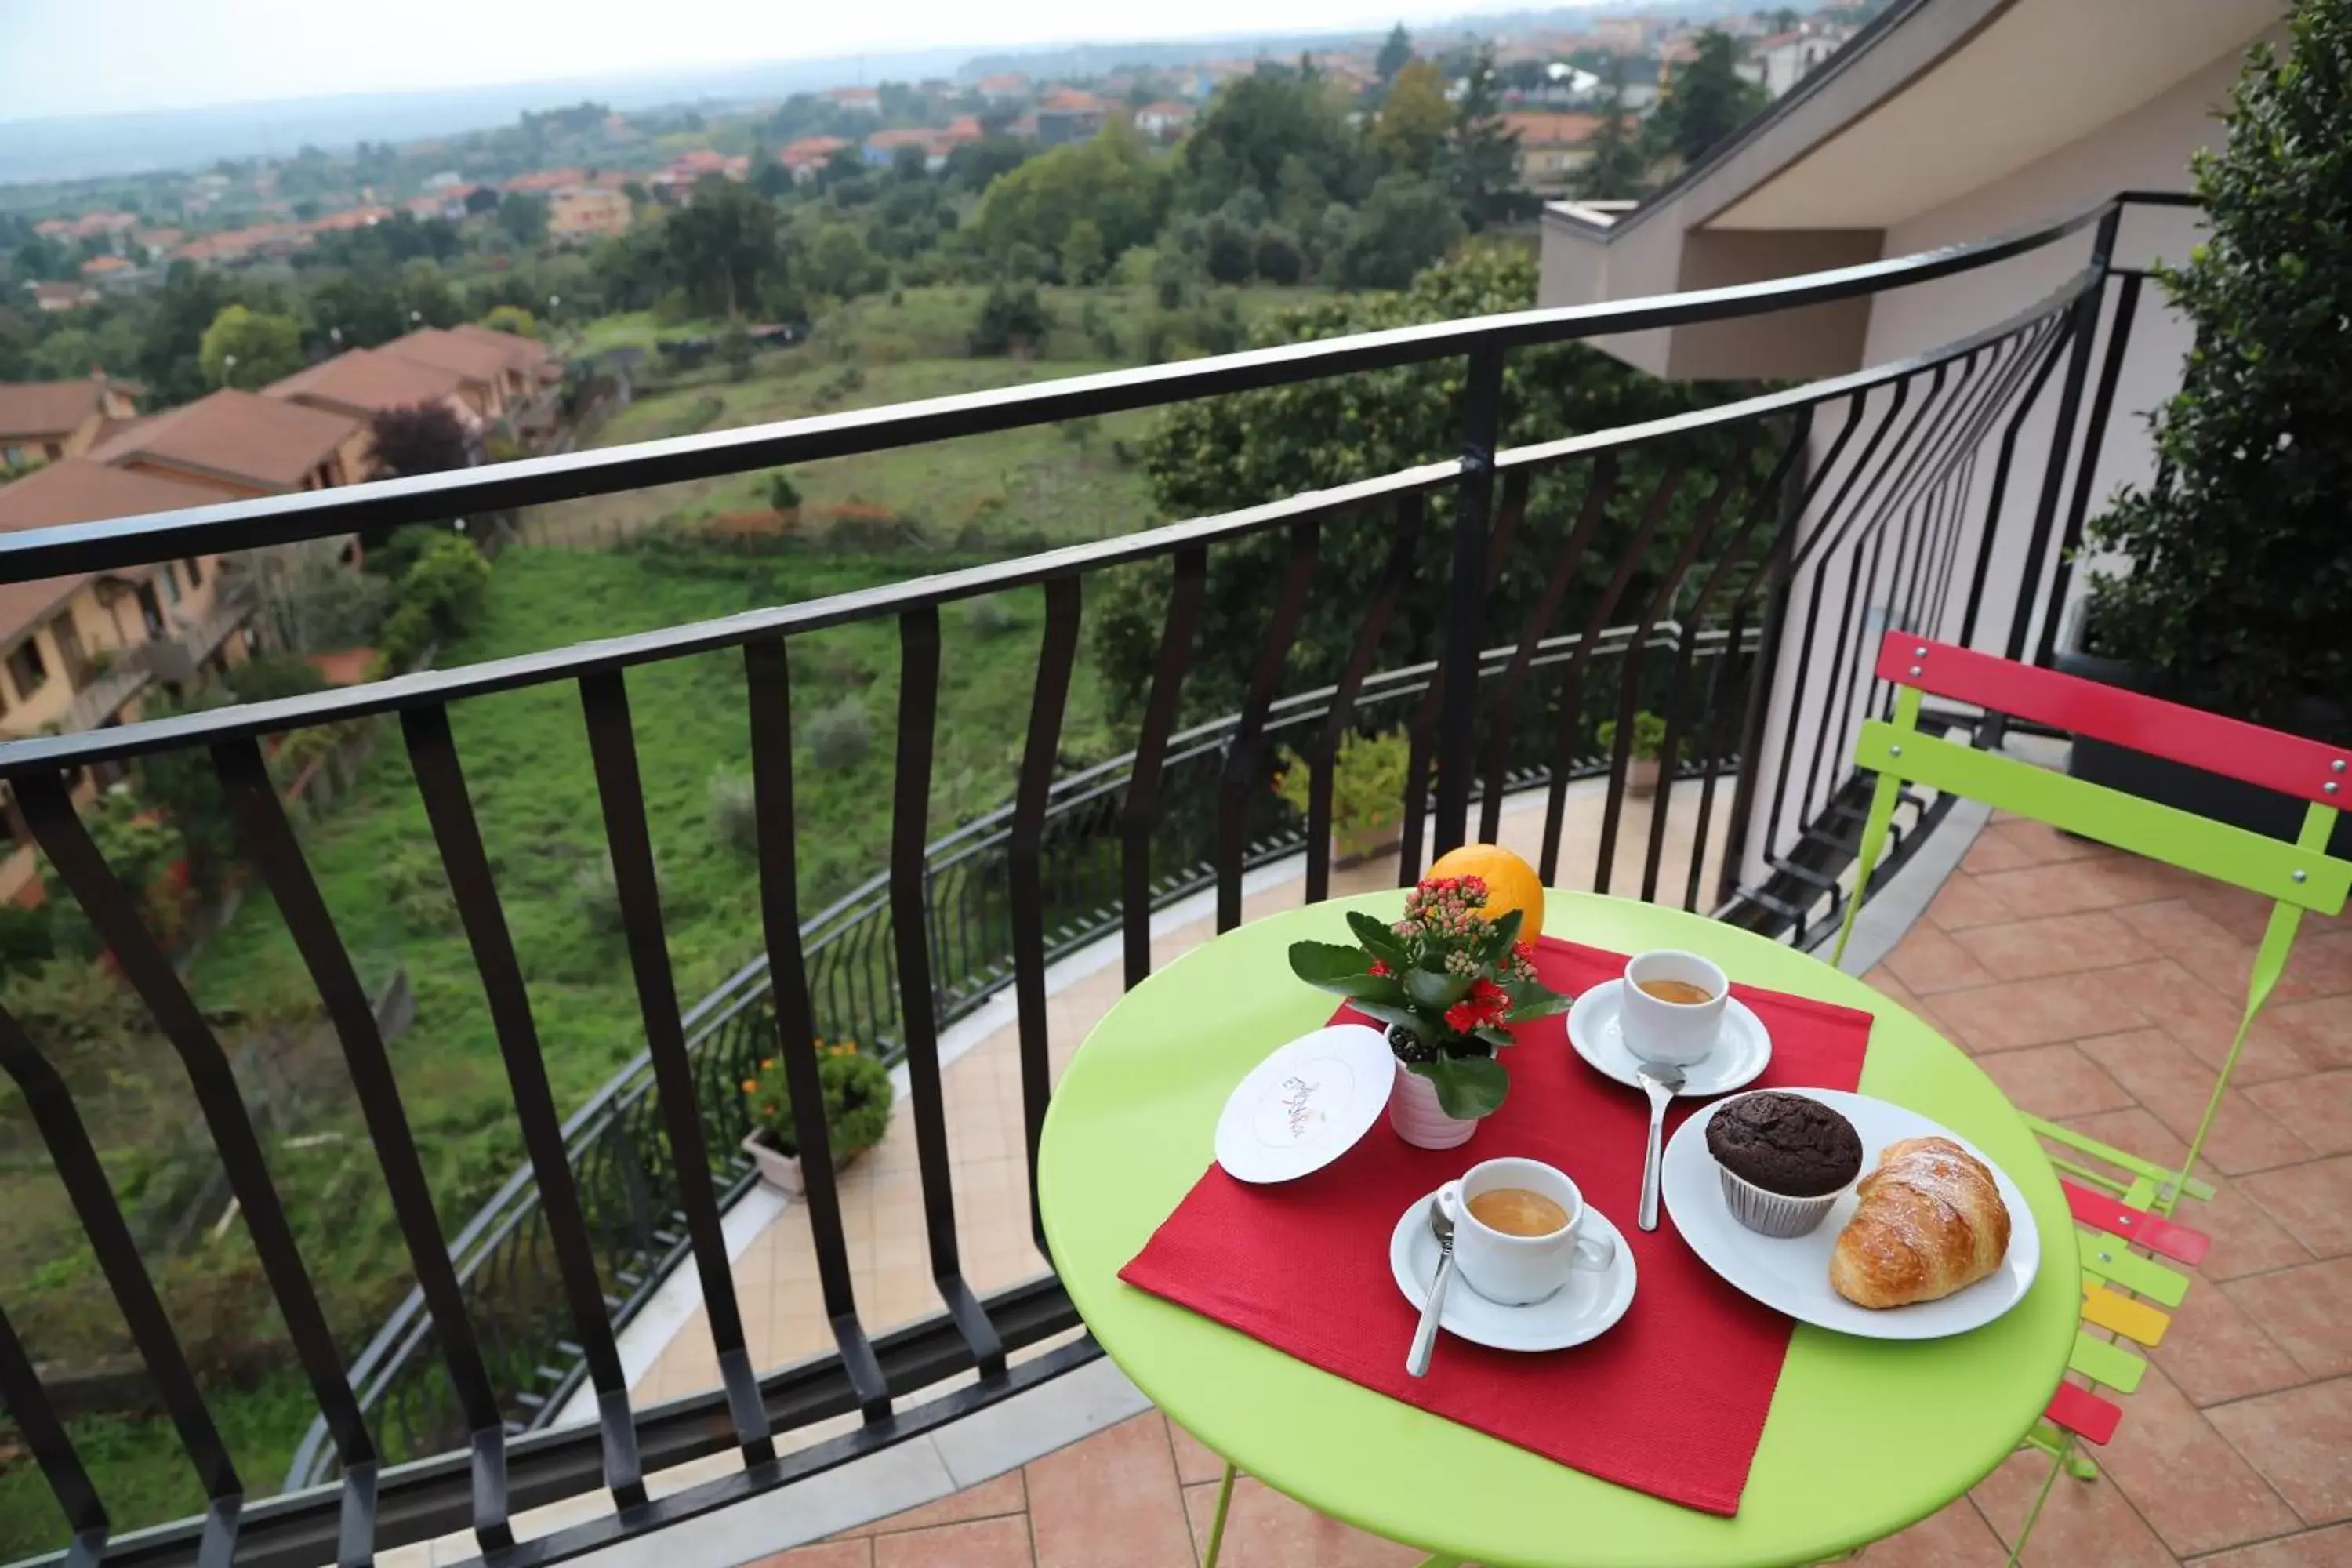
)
(1864, 1438)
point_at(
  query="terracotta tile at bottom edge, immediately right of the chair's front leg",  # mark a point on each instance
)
(2186, 1480)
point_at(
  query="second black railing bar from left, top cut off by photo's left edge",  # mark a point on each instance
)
(83, 1177)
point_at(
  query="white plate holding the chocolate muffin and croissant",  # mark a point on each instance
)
(1793, 1275)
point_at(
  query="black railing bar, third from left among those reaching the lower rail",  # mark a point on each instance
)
(441, 784)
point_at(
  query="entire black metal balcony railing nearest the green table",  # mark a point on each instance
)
(1744, 551)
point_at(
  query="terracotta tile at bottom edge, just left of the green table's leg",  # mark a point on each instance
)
(1111, 1501)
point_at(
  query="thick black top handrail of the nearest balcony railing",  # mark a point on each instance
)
(276, 521)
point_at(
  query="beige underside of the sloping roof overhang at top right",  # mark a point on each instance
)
(2038, 76)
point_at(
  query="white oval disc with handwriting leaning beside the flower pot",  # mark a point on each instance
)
(1307, 1104)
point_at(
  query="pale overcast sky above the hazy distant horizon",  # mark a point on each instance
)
(86, 58)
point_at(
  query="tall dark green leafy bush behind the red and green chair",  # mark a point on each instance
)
(2240, 577)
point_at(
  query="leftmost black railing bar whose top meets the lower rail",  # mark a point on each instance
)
(145, 965)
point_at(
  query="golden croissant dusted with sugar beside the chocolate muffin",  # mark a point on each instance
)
(1930, 1224)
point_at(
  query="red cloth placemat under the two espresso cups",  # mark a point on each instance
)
(1669, 1402)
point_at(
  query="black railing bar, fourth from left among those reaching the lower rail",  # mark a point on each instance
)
(613, 753)
